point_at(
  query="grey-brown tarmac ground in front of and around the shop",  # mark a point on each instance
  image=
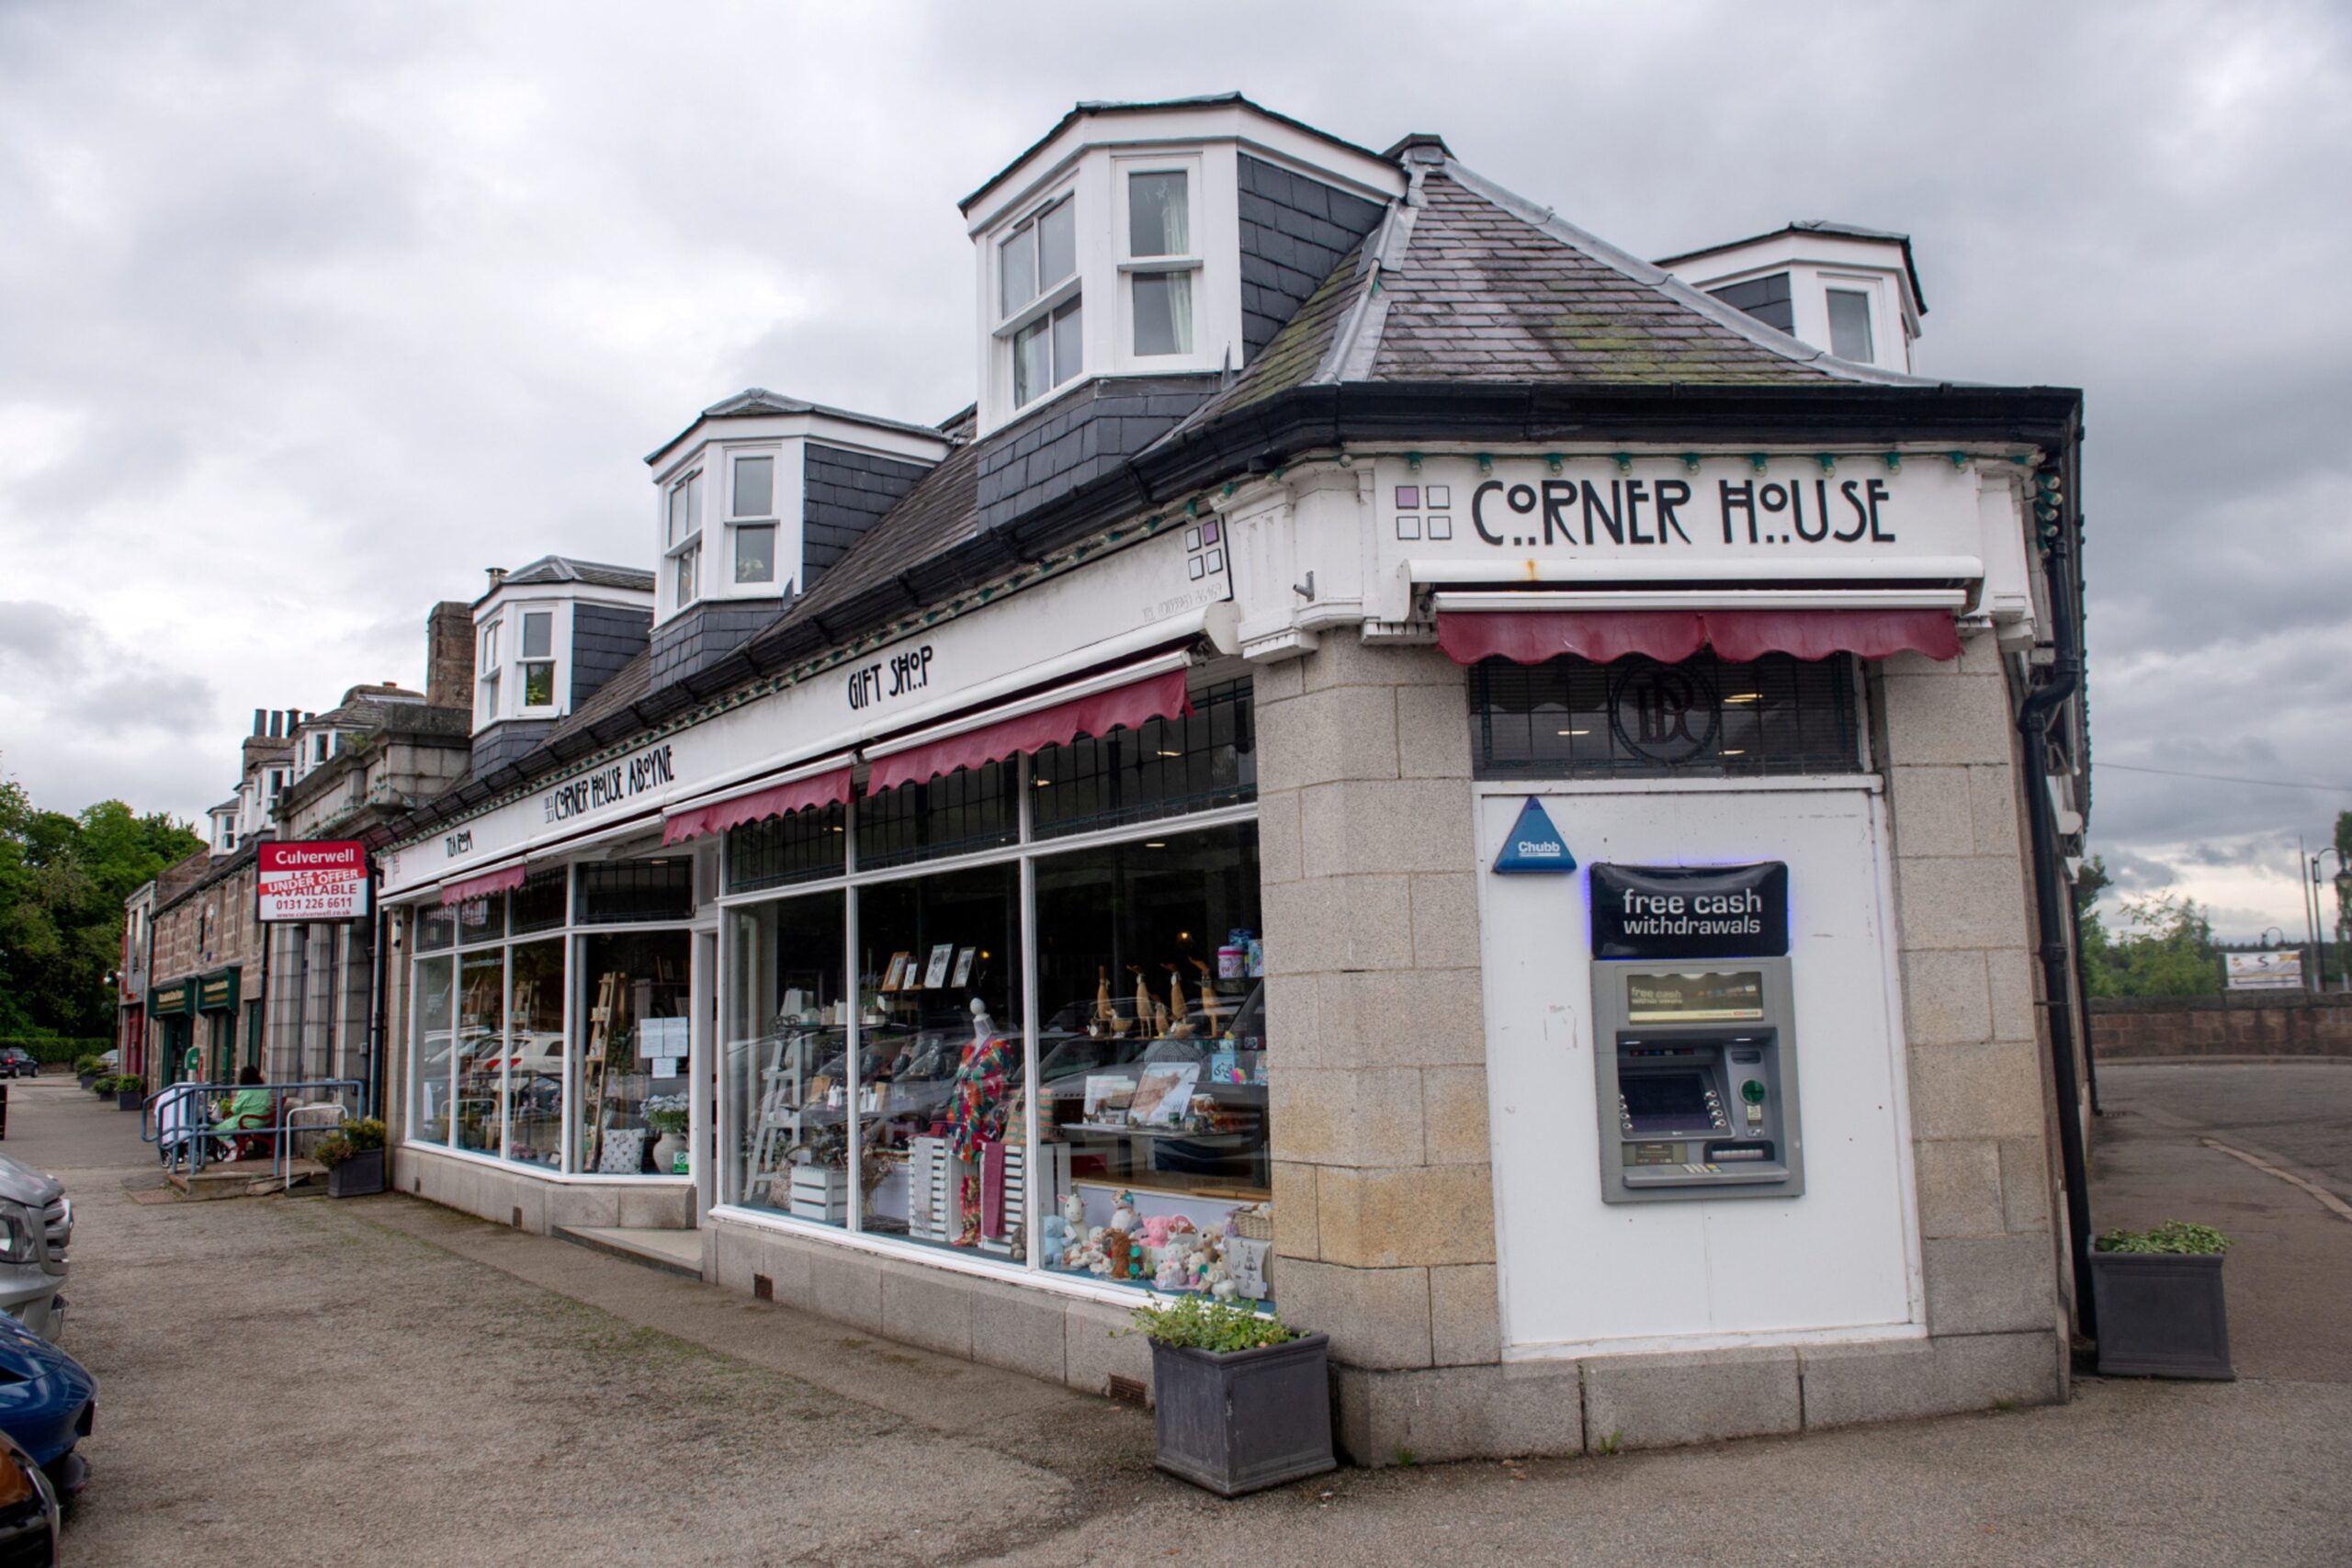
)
(389, 1383)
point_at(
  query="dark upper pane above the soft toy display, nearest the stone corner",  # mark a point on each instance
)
(1168, 768)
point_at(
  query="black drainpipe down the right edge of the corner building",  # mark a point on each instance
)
(2054, 911)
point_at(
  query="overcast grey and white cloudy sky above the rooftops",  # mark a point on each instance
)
(314, 311)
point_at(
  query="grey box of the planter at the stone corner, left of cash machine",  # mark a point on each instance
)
(1243, 1421)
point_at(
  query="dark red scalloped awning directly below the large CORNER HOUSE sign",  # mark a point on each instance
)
(1669, 636)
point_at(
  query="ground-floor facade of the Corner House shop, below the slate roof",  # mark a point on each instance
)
(1744, 626)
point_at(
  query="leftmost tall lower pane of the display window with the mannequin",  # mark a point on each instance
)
(787, 1061)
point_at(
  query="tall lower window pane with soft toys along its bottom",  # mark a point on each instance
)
(1154, 1061)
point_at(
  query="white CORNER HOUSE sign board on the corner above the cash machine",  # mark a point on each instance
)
(1706, 516)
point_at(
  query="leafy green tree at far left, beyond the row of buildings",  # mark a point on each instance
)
(62, 887)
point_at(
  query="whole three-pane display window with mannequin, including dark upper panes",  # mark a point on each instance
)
(1090, 1101)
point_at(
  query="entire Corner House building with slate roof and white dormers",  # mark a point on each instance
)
(1401, 763)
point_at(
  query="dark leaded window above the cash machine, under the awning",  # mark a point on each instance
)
(1641, 718)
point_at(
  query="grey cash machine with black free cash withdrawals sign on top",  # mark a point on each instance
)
(1695, 1040)
